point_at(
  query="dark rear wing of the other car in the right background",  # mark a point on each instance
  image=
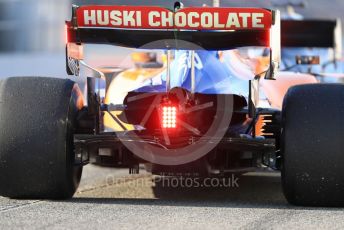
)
(312, 34)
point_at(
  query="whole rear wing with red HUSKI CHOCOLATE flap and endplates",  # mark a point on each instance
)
(160, 28)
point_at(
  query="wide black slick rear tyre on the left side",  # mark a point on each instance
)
(37, 117)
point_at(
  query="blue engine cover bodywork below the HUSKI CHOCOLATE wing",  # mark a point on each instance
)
(212, 75)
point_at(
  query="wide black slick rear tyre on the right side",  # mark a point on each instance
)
(312, 145)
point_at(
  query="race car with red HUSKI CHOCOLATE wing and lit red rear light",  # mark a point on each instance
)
(189, 102)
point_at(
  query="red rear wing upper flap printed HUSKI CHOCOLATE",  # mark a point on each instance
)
(190, 18)
